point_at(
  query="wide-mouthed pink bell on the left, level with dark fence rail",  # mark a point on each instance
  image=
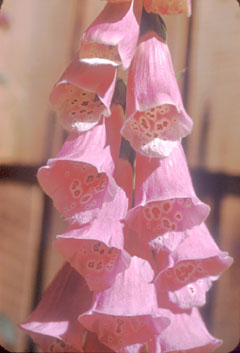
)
(80, 178)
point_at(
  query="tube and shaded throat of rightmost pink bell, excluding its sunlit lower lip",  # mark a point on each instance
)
(198, 256)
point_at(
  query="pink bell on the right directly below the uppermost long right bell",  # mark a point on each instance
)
(165, 198)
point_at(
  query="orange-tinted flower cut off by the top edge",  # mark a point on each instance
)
(168, 7)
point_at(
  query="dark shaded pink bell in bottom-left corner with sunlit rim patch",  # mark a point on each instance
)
(53, 324)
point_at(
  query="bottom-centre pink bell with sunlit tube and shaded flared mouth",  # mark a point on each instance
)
(119, 317)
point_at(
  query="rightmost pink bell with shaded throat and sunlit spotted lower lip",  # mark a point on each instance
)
(193, 265)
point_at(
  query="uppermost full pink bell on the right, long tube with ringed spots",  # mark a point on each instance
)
(156, 119)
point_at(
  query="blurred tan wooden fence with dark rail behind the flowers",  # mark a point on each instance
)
(35, 47)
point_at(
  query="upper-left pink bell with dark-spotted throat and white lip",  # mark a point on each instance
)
(83, 93)
